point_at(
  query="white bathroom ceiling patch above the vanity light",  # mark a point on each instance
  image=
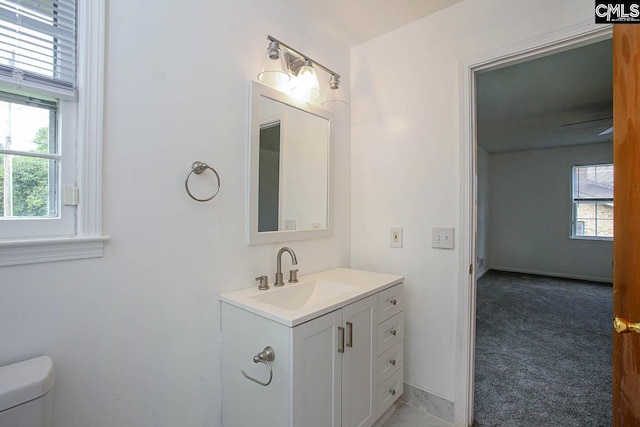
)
(356, 21)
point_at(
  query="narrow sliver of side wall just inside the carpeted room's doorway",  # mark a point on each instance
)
(483, 252)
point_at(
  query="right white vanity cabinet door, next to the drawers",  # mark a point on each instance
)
(358, 363)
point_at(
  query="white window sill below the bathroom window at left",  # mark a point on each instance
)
(34, 251)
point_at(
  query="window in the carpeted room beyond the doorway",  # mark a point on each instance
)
(593, 201)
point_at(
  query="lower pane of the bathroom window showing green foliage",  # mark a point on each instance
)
(29, 187)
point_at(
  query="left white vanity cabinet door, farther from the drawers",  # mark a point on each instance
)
(317, 367)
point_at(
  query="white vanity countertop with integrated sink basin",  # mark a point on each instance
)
(313, 295)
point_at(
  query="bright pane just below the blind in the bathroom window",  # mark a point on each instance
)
(26, 127)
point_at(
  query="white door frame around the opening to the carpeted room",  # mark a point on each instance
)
(582, 33)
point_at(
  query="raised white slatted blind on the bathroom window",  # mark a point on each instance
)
(38, 44)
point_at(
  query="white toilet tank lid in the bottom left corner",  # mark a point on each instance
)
(25, 381)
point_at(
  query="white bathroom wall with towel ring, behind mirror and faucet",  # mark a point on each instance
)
(135, 335)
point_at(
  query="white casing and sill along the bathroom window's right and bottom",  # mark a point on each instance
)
(88, 241)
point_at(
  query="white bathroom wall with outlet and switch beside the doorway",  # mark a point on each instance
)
(406, 152)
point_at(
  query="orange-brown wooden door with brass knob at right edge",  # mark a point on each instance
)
(626, 246)
